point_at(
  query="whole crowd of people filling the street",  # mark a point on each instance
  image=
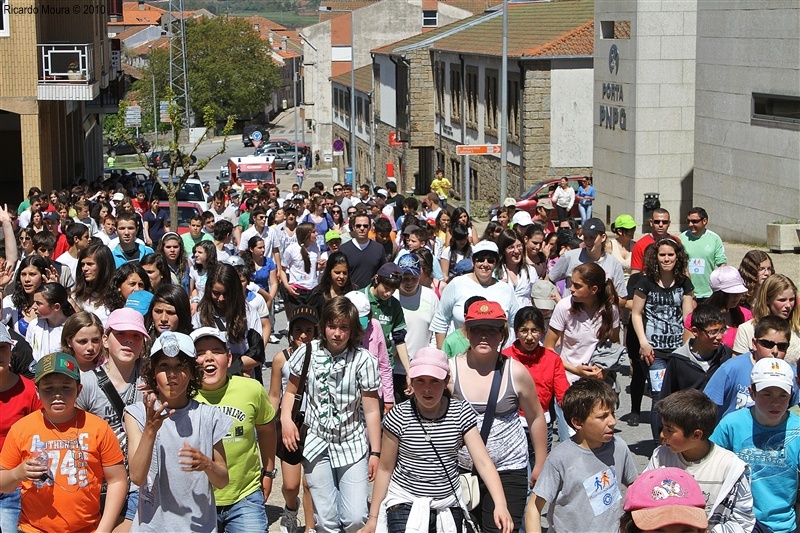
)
(435, 361)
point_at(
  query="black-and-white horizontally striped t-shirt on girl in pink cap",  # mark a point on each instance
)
(418, 469)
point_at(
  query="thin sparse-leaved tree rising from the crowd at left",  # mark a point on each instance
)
(180, 159)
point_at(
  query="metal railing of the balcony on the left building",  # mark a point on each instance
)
(59, 63)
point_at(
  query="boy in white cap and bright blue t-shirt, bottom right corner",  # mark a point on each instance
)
(767, 437)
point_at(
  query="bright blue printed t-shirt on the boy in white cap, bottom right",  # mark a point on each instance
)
(773, 454)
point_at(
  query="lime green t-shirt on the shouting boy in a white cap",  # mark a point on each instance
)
(245, 401)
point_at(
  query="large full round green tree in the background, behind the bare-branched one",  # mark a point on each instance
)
(230, 67)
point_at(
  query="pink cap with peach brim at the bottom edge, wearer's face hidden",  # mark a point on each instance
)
(666, 496)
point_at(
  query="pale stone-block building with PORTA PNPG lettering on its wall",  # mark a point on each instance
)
(699, 103)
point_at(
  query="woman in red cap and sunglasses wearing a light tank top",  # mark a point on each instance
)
(473, 381)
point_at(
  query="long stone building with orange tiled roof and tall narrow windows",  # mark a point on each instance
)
(441, 89)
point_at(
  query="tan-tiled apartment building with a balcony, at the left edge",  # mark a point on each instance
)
(56, 80)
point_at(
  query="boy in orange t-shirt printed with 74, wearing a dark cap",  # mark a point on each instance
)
(82, 451)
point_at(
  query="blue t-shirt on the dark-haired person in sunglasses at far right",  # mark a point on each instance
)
(729, 387)
